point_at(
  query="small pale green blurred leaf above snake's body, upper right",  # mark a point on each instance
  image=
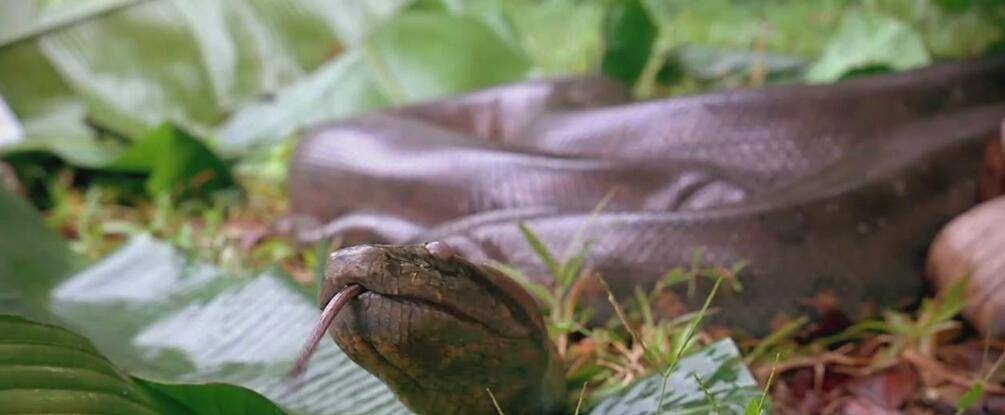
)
(868, 40)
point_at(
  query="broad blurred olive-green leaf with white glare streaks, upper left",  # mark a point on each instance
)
(187, 63)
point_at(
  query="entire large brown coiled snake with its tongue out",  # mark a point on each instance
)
(834, 189)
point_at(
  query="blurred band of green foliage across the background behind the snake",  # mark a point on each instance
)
(248, 74)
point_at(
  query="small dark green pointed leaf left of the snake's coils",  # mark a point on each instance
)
(177, 163)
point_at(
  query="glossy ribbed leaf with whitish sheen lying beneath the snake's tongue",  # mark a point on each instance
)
(159, 315)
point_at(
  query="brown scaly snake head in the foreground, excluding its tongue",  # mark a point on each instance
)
(442, 332)
